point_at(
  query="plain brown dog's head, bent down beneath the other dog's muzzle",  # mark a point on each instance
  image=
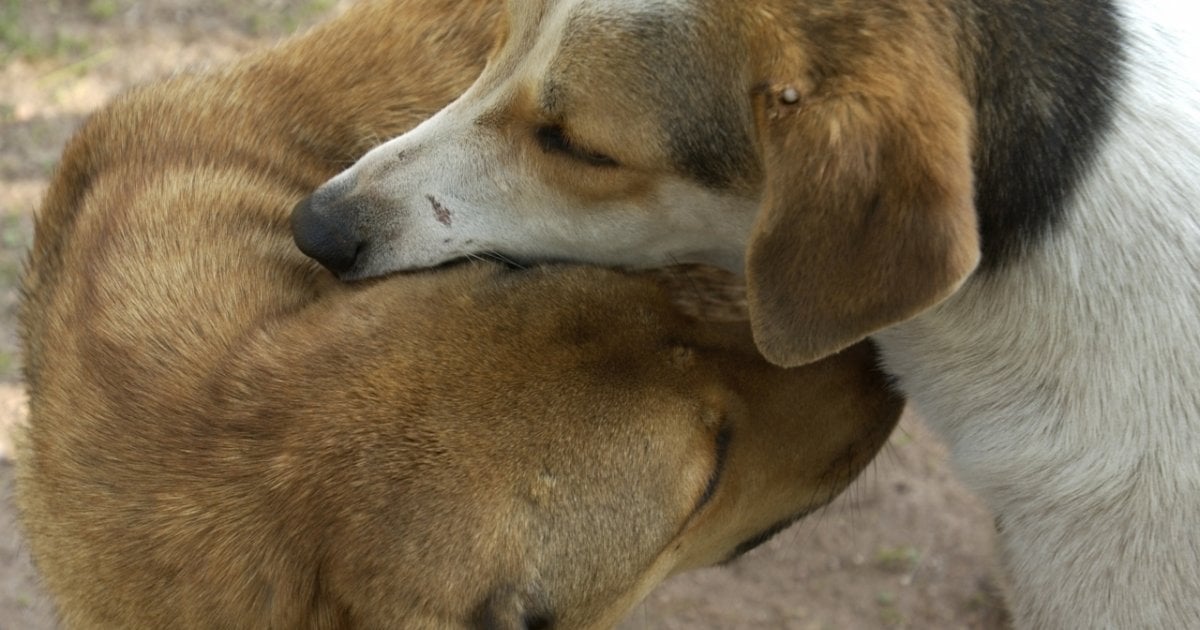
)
(543, 448)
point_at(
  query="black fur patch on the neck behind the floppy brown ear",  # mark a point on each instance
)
(1046, 76)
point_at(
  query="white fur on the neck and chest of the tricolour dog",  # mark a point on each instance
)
(1069, 387)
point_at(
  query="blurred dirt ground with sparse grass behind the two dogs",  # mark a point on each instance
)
(905, 548)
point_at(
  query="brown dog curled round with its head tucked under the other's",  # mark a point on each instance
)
(224, 437)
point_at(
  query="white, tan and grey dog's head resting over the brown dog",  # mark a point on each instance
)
(823, 146)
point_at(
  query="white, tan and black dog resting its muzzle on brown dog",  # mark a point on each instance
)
(1005, 195)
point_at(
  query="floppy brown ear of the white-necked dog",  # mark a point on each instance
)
(867, 218)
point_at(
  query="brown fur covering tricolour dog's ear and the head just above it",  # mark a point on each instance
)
(874, 159)
